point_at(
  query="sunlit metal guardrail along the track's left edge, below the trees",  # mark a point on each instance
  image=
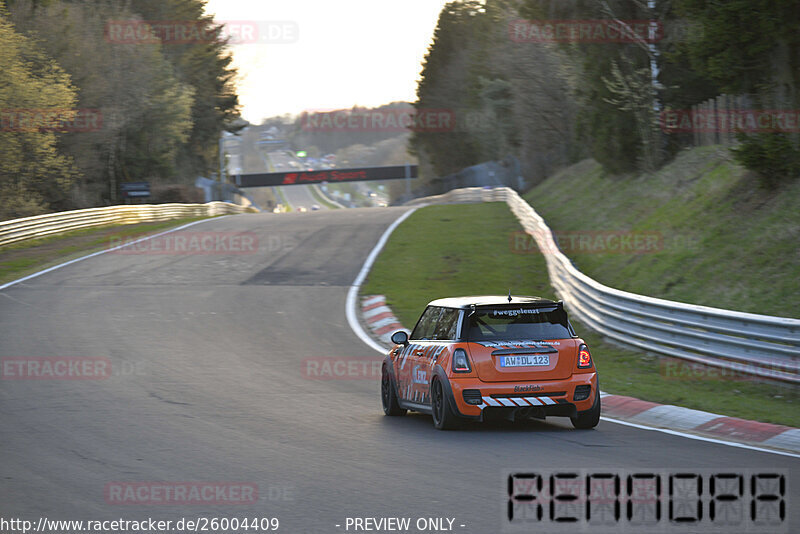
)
(17, 230)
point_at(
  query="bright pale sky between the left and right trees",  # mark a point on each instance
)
(353, 52)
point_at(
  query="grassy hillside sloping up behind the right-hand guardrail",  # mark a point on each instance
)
(716, 238)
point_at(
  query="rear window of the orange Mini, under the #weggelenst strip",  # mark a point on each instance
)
(496, 324)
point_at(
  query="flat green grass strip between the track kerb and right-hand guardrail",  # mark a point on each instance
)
(466, 250)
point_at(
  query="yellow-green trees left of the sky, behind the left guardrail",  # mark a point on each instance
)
(157, 108)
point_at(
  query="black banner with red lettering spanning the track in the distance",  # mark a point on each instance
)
(330, 175)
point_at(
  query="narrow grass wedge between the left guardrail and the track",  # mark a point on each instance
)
(27, 257)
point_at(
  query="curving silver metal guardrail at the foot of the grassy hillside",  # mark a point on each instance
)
(746, 343)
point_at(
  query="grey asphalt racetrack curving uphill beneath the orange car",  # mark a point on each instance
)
(210, 357)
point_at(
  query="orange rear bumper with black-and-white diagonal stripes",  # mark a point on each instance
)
(542, 398)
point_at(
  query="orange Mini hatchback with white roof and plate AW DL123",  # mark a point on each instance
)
(480, 357)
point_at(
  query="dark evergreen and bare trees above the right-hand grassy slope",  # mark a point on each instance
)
(551, 104)
